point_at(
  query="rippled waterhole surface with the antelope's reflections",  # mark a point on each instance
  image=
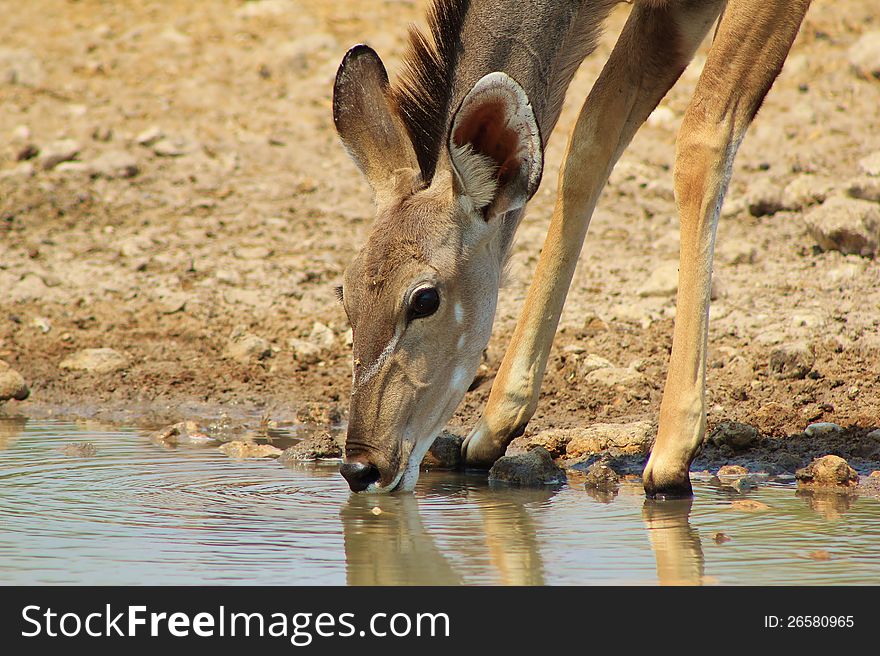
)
(138, 513)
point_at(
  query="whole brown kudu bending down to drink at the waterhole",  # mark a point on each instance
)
(454, 150)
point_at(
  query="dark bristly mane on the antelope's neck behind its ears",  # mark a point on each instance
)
(423, 92)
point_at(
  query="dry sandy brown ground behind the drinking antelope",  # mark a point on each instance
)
(244, 211)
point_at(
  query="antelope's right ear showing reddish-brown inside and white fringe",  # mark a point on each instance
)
(495, 146)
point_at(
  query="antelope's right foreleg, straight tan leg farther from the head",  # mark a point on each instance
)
(751, 44)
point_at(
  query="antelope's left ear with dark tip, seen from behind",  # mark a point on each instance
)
(366, 121)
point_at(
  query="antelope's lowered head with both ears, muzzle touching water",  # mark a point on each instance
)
(422, 292)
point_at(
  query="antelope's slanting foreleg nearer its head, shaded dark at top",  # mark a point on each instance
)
(655, 46)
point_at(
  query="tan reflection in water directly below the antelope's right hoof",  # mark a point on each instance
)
(675, 543)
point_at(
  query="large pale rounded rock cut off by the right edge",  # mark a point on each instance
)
(848, 225)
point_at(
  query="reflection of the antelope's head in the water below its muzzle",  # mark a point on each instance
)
(392, 547)
